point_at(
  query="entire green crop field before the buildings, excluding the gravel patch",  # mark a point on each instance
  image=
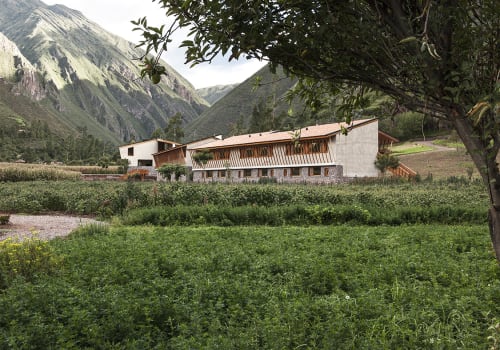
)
(186, 266)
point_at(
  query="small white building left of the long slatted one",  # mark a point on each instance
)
(140, 154)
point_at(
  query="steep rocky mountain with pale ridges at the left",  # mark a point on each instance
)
(78, 76)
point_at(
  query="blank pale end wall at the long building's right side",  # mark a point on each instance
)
(357, 151)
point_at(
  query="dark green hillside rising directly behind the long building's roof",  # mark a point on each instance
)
(232, 114)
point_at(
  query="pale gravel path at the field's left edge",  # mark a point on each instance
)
(43, 226)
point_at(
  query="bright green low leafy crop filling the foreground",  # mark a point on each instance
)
(247, 288)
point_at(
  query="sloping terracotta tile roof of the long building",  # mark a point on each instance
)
(314, 131)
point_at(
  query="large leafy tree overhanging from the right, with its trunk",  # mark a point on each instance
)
(440, 58)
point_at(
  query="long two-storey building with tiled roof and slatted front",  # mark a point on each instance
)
(313, 154)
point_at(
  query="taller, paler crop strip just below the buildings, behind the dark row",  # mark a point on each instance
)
(112, 198)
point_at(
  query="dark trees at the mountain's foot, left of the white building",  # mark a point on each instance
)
(35, 142)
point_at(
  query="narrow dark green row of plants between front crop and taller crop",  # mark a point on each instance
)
(300, 215)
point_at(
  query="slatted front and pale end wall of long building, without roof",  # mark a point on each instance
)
(347, 156)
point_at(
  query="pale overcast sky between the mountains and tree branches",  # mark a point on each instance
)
(115, 16)
